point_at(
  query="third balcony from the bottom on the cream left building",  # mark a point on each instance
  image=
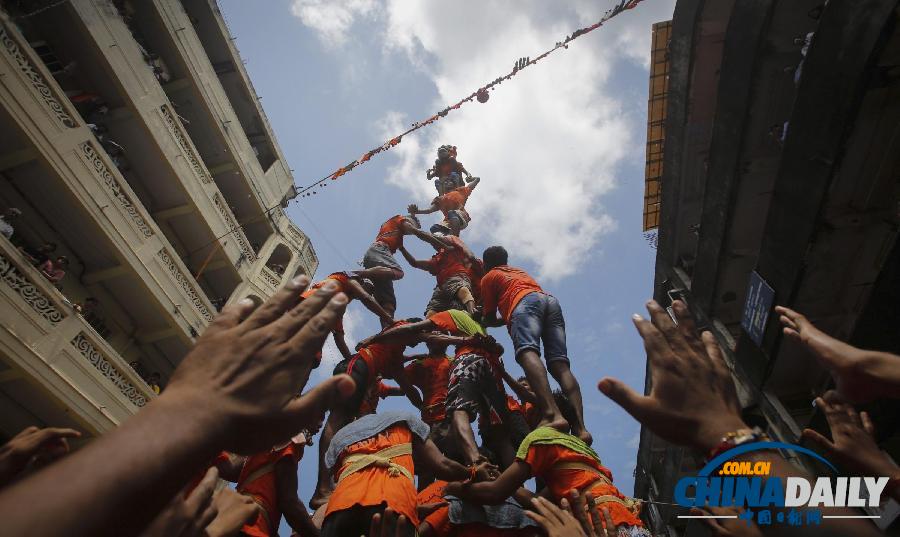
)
(115, 90)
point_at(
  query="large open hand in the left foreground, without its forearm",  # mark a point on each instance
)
(249, 366)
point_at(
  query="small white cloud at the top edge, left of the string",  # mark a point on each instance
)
(332, 18)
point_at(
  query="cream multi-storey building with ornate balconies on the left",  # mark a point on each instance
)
(133, 140)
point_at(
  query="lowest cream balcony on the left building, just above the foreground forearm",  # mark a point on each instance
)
(47, 348)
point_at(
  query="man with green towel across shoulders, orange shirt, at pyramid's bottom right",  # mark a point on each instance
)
(564, 463)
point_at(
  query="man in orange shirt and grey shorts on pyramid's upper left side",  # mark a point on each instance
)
(379, 263)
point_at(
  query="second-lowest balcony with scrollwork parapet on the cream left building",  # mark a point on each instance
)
(73, 193)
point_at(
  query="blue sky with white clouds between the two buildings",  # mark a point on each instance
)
(560, 150)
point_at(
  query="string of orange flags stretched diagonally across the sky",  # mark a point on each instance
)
(481, 95)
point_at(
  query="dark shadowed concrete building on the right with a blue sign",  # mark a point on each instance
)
(779, 185)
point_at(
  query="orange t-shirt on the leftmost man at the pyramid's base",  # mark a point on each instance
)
(263, 489)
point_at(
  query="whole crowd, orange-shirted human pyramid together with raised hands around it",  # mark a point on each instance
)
(235, 410)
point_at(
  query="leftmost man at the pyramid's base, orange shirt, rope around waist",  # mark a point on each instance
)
(270, 480)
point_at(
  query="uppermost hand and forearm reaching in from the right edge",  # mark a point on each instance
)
(860, 375)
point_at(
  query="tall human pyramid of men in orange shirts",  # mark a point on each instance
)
(366, 459)
